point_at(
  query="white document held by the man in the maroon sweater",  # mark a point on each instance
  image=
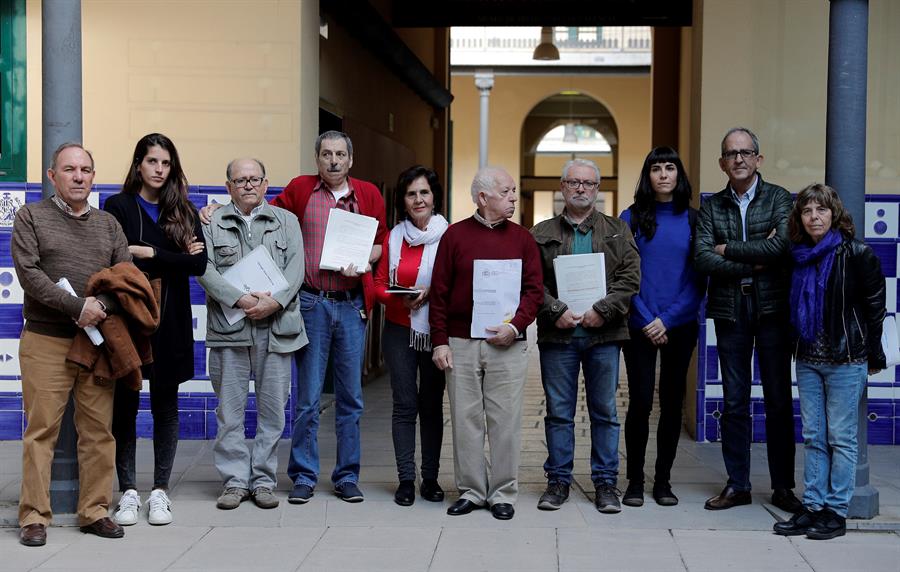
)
(496, 285)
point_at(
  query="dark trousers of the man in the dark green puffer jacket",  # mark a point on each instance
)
(736, 340)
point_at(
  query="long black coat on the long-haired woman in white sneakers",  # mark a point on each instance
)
(173, 342)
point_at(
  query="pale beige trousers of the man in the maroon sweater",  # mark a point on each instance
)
(486, 387)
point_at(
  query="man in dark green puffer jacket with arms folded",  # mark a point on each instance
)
(742, 244)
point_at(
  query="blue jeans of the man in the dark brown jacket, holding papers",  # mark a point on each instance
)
(560, 364)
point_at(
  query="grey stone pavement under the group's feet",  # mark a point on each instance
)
(328, 534)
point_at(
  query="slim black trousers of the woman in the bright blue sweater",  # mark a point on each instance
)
(640, 365)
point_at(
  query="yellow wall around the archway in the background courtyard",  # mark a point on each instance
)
(513, 97)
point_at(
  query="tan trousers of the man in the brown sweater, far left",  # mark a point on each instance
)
(47, 381)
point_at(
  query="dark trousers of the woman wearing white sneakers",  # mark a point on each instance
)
(164, 407)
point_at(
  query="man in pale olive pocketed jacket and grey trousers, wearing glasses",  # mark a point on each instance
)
(259, 345)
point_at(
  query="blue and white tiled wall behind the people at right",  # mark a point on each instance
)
(882, 233)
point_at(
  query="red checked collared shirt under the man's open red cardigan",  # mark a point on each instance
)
(315, 219)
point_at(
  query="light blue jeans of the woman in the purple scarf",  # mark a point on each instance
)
(829, 405)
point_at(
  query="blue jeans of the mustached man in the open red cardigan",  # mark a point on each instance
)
(337, 327)
